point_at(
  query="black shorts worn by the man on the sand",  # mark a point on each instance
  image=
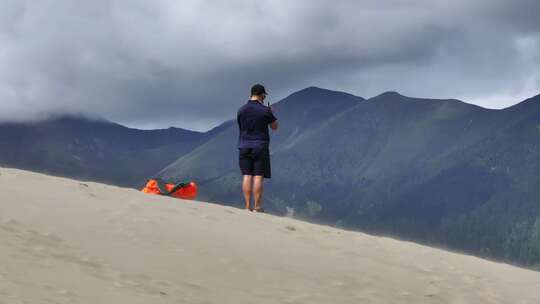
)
(254, 161)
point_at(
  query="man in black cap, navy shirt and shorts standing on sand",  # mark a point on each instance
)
(253, 145)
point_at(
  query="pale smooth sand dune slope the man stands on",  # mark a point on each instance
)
(63, 241)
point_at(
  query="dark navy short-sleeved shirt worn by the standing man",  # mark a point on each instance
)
(253, 119)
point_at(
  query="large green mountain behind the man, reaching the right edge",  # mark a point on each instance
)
(437, 171)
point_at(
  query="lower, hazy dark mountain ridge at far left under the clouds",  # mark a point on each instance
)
(93, 149)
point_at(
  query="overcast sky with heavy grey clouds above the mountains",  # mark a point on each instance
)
(190, 64)
